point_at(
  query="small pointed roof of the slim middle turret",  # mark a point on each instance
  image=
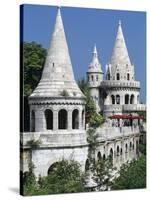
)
(95, 65)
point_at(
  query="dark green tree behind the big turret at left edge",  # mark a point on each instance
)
(33, 60)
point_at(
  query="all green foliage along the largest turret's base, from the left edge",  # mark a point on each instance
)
(65, 177)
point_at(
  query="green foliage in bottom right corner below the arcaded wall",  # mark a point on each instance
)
(132, 175)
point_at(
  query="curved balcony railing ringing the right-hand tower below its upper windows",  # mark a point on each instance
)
(110, 83)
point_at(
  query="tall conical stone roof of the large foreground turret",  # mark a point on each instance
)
(57, 74)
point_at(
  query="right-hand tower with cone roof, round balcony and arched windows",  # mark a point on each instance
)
(120, 85)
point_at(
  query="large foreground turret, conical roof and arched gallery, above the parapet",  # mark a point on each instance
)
(57, 102)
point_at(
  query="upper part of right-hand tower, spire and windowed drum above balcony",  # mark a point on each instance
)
(120, 67)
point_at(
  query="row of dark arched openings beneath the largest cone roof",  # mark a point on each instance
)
(62, 119)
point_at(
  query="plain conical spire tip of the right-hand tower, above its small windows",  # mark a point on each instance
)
(120, 52)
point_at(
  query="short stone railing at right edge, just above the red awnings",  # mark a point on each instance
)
(134, 107)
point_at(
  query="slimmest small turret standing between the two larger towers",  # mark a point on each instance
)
(95, 77)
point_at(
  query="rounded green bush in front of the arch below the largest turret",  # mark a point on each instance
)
(65, 177)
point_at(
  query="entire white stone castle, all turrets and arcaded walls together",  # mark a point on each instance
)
(57, 108)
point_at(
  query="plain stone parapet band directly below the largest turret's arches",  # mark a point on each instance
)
(55, 139)
